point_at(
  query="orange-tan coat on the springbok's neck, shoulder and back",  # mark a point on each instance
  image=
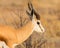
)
(15, 36)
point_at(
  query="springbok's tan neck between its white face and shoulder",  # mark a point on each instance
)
(24, 32)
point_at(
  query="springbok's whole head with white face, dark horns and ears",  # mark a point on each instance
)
(35, 17)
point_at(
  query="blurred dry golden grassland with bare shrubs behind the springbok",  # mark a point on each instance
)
(13, 13)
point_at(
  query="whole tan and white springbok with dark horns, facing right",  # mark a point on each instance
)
(11, 36)
